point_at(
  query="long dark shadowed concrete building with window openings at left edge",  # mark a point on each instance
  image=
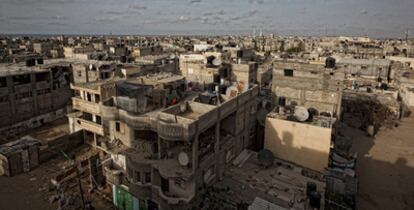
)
(33, 93)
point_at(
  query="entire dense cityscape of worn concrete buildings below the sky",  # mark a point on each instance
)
(206, 122)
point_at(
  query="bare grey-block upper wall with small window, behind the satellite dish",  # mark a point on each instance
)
(311, 86)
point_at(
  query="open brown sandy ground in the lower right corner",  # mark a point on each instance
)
(386, 167)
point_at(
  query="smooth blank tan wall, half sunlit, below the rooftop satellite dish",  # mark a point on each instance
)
(300, 143)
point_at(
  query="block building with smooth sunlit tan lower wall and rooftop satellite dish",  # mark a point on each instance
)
(309, 103)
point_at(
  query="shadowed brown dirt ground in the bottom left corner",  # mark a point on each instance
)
(30, 192)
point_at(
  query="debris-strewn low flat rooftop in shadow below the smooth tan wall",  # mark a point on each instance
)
(283, 183)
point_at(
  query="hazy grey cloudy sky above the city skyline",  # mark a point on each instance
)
(375, 18)
